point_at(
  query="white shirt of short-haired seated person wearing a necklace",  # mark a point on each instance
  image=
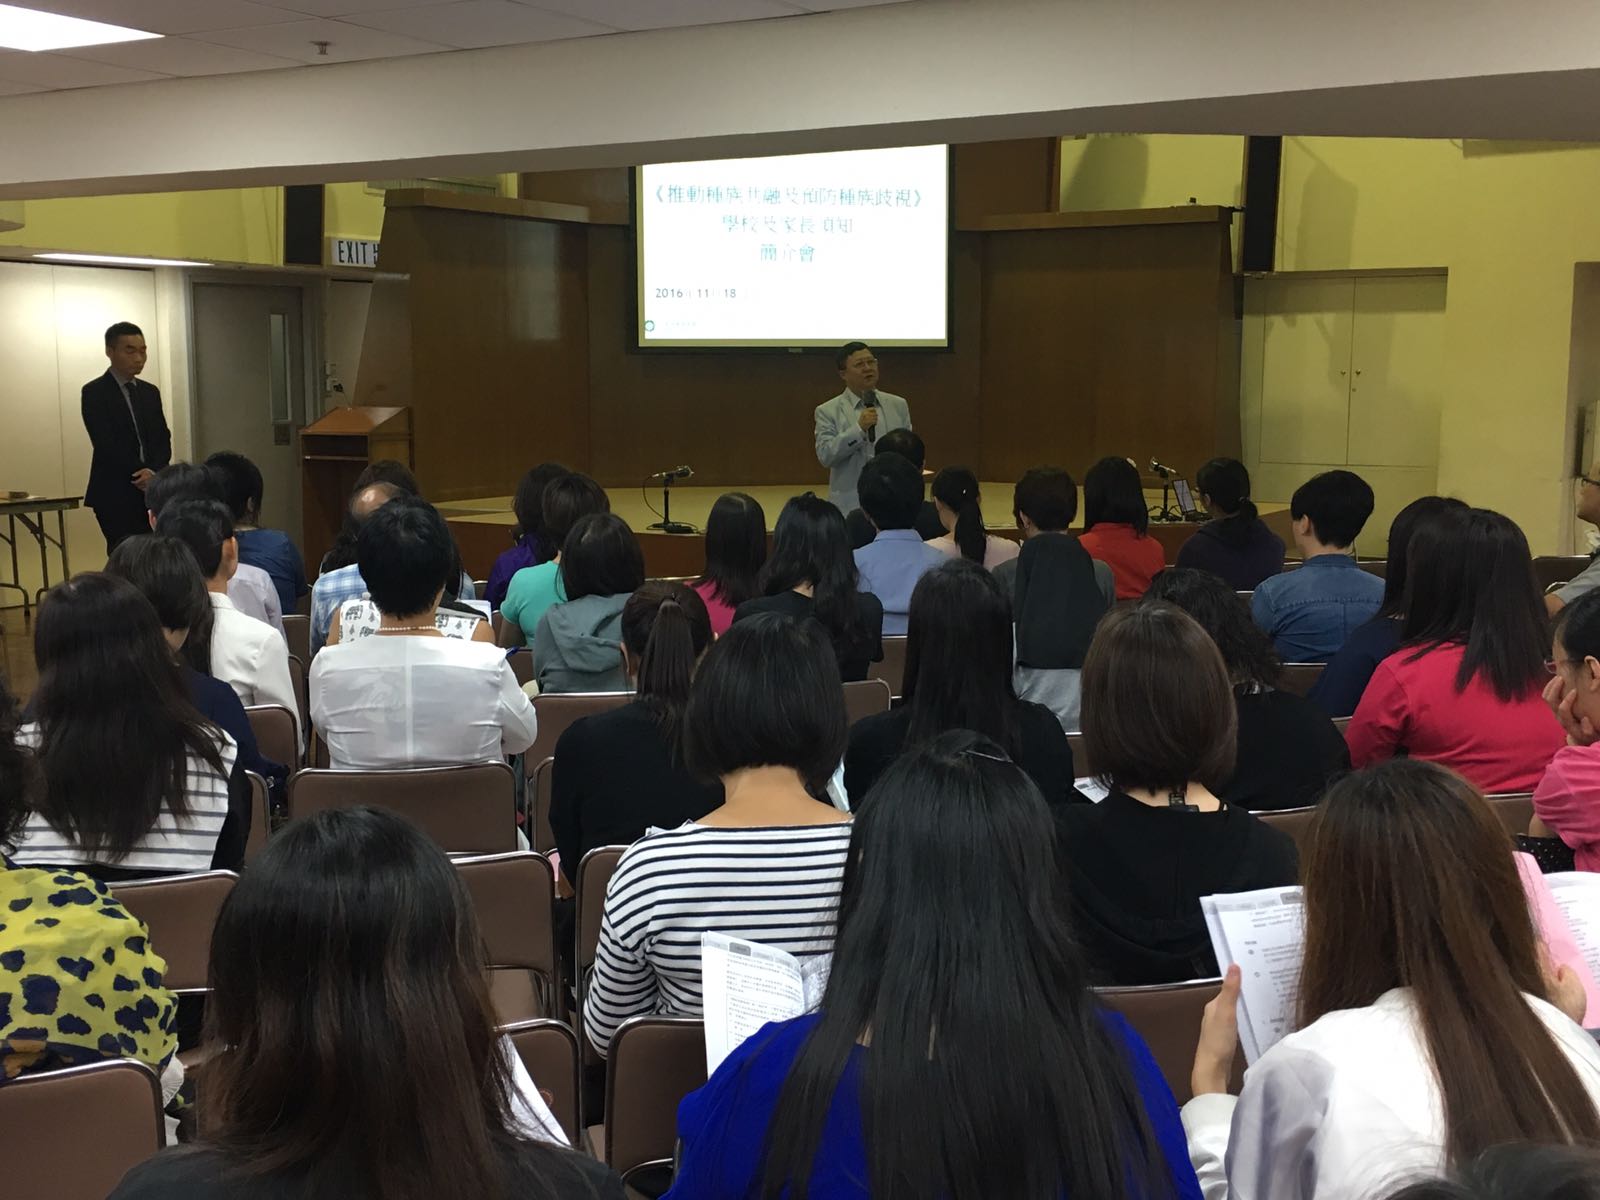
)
(412, 702)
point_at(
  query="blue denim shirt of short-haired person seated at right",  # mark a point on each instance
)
(1308, 614)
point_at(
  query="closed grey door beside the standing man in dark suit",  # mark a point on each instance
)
(250, 388)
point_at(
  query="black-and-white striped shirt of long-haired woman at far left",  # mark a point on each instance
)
(172, 846)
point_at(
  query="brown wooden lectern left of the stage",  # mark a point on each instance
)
(334, 455)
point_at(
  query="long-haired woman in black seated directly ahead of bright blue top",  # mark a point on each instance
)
(959, 678)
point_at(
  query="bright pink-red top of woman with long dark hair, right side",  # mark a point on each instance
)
(1414, 708)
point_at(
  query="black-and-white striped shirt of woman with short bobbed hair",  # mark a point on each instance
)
(777, 887)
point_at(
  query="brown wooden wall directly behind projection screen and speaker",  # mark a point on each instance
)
(742, 417)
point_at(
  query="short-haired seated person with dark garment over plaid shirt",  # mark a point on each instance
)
(1058, 594)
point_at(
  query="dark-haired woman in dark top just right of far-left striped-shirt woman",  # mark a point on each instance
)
(167, 575)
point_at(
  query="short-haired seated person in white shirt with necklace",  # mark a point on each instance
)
(407, 695)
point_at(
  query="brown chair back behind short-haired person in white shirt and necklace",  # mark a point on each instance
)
(470, 809)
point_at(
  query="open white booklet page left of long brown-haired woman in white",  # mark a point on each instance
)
(1263, 932)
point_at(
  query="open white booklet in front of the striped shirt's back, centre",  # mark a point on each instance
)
(746, 985)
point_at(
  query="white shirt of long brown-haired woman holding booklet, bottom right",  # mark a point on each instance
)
(1345, 1110)
